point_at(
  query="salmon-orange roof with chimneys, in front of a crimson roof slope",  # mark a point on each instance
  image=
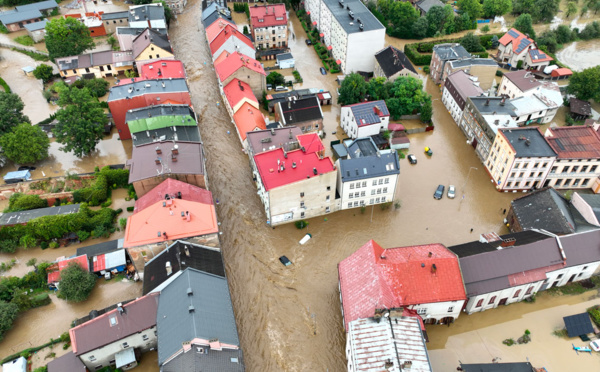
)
(149, 225)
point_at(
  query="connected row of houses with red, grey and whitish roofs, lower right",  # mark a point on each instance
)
(407, 287)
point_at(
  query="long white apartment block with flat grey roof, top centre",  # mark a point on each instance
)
(349, 30)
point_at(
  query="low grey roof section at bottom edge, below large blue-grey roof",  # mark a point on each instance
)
(214, 361)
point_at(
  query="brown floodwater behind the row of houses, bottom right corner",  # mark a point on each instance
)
(478, 338)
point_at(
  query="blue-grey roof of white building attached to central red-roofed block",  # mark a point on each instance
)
(369, 166)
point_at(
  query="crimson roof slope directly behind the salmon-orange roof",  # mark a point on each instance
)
(172, 187)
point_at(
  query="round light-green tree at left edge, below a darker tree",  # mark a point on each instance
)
(25, 144)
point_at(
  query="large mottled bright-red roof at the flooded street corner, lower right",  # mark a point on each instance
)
(374, 278)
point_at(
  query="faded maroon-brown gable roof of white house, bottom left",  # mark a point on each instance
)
(138, 316)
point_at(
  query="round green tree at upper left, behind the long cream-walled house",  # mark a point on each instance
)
(67, 37)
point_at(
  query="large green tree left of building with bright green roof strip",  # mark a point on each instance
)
(81, 121)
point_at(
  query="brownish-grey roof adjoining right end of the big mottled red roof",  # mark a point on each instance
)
(489, 271)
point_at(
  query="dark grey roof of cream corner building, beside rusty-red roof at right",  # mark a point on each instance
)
(528, 142)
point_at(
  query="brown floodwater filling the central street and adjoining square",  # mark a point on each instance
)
(289, 318)
